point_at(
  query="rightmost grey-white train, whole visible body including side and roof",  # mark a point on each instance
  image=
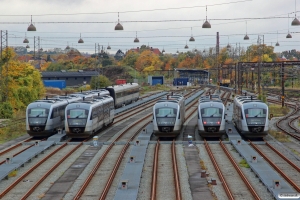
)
(250, 116)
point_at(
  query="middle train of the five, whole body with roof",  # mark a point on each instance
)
(169, 116)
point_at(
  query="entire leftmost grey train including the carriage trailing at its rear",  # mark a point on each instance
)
(45, 117)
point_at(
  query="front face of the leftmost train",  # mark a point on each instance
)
(37, 115)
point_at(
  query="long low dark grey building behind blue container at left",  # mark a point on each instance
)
(77, 78)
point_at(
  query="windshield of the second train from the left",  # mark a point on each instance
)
(77, 117)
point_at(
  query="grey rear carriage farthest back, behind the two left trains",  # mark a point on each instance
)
(124, 94)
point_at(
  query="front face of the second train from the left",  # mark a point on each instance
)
(76, 120)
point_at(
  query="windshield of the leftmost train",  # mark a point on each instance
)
(38, 116)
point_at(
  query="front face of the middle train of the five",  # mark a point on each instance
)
(166, 119)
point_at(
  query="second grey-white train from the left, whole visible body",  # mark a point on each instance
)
(84, 118)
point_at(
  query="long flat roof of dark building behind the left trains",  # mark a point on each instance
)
(62, 73)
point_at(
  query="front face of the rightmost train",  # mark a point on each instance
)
(257, 122)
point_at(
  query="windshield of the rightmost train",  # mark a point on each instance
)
(255, 116)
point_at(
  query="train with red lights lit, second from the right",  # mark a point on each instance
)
(211, 116)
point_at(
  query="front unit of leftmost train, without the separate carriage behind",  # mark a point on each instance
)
(44, 117)
